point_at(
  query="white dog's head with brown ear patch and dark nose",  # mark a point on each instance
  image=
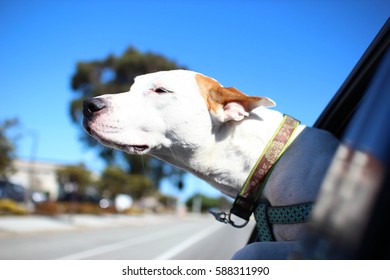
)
(166, 111)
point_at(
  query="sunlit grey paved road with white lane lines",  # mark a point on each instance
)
(167, 237)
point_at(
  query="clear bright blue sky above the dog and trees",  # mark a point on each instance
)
(296, 52)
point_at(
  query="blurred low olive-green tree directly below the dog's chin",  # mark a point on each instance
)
(115, 181)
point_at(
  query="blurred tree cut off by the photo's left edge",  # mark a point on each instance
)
(7, 148)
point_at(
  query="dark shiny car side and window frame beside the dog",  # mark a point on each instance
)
(350, 219)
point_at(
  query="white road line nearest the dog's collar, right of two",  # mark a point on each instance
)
(188, 242)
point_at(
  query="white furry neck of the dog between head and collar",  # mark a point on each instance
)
(226, 159)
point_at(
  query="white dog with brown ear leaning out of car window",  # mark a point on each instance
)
(217, 133)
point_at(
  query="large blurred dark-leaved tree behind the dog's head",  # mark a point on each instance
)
(113, 75)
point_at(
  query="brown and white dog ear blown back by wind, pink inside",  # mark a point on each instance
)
(235, 104)
